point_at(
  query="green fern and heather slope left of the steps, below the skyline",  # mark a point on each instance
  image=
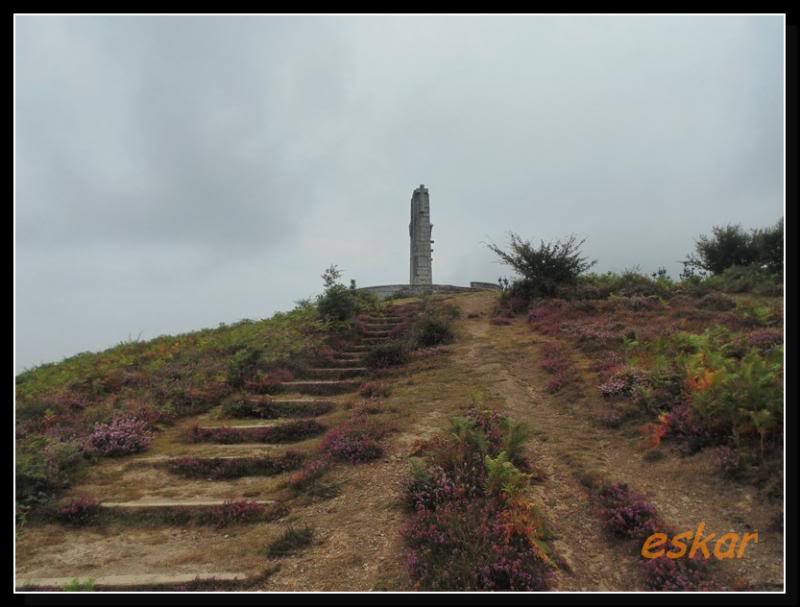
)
(168, 376)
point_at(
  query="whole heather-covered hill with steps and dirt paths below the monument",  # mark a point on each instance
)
(631, 399)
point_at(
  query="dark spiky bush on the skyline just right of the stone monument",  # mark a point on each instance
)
(543, 269)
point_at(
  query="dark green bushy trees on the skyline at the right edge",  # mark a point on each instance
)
(731, 245)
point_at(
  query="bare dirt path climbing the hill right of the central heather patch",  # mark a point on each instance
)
(567, 443)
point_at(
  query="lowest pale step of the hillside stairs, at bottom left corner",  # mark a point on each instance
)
(128, 582)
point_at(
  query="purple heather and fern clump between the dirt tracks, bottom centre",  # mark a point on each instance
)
(471, 527)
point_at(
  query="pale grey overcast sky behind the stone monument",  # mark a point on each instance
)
(173, 173)
